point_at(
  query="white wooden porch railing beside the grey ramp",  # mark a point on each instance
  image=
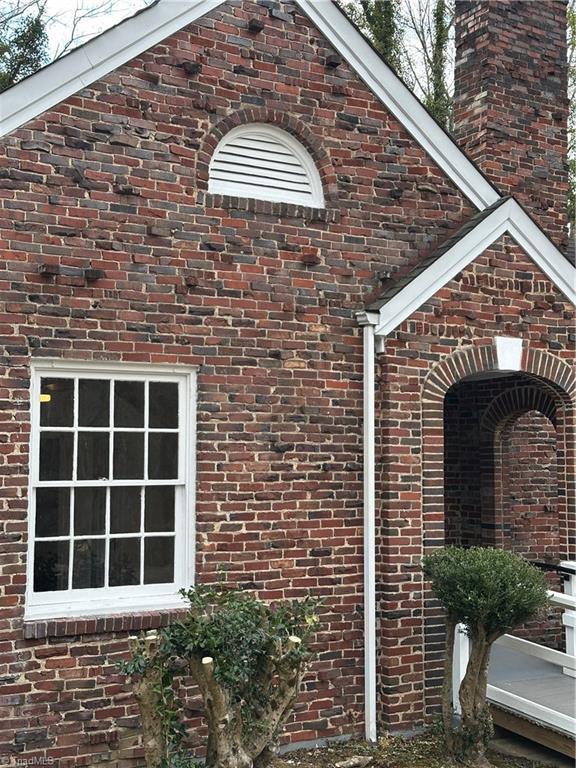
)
(566, 661)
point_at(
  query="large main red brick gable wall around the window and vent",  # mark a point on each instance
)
(261, 296)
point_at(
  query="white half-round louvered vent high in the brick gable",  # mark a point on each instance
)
(265, 163)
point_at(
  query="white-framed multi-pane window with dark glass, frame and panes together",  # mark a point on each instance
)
(111, 515)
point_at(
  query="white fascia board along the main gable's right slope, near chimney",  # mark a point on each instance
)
(400, 101)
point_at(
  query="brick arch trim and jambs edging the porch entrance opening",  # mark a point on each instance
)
(546, 385)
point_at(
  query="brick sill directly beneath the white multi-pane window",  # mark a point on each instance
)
(38, 629)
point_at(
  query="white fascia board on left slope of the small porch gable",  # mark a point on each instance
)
(429, 282)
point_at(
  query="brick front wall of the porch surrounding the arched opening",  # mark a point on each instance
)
(448, 339)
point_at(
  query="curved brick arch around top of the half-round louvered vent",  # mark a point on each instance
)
(280, 119)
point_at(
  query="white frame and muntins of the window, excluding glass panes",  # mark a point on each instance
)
(106, 600)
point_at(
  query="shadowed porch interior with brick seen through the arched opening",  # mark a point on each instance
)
(501, 475)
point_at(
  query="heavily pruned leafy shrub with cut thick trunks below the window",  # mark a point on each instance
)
(246, 656)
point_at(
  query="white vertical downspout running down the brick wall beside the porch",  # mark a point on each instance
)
(368, 321)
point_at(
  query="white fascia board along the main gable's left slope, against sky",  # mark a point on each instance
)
(96, 58)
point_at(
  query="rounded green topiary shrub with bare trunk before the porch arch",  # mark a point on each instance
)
(490, 591)
